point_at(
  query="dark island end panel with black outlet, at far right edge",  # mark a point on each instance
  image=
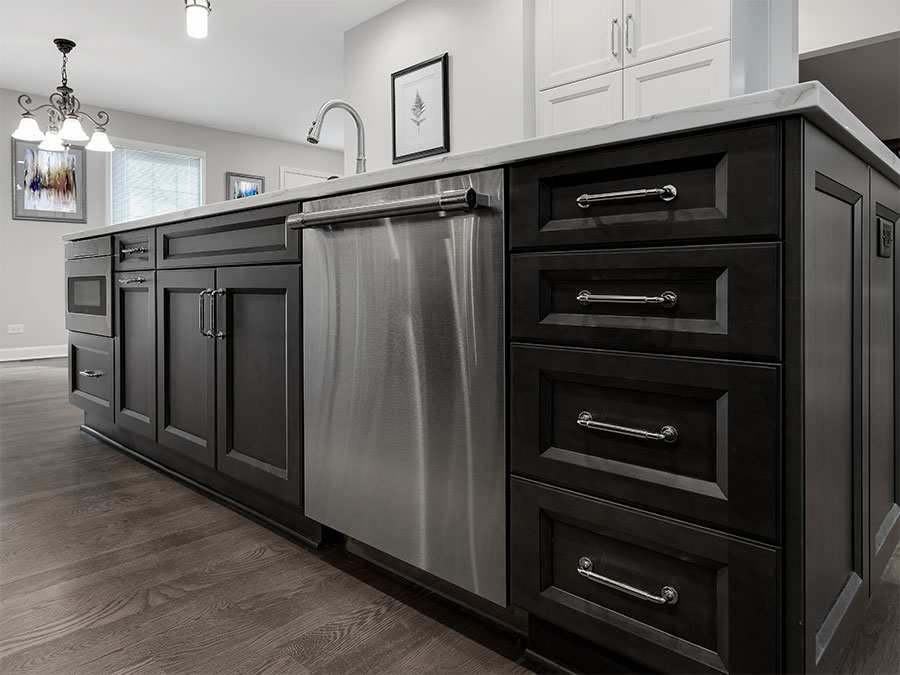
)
(884, 512)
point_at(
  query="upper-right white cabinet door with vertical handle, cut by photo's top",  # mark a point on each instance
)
(653, 29)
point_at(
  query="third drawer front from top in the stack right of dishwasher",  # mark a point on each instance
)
(719, 464)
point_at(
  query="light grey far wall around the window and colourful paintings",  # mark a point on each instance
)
(31, 253)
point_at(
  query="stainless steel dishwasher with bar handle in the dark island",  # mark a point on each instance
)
(403, 356)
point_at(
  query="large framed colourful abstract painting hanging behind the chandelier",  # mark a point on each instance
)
(48, 185)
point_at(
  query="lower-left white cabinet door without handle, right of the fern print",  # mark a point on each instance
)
(588, 103)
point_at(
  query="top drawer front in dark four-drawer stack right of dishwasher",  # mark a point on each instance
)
(727, 185)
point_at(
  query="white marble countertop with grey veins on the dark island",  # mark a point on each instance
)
(810, 99)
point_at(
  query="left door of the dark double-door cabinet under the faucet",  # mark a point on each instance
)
(185, 366)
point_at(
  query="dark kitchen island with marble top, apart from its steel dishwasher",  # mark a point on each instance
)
(700, 376)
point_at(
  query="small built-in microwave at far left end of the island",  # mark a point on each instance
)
(89, 287)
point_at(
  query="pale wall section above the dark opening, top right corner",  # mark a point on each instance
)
(827, 23)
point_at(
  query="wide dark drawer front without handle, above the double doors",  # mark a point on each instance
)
(253, 236)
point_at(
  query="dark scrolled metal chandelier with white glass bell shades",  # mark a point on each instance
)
(65, 114)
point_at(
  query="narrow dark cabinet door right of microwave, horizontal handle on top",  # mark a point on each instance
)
(135, 312)
